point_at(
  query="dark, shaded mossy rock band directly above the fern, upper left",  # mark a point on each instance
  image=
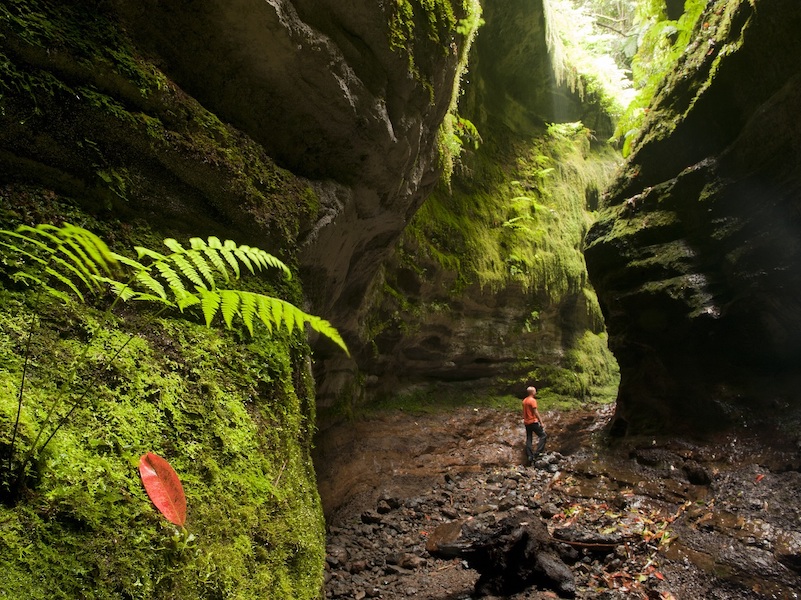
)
(103, 113)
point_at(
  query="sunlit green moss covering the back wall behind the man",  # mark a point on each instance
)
(513, 219)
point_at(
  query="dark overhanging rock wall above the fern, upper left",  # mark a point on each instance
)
(309, 128)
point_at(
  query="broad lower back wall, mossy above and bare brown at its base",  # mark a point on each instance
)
(488, 289)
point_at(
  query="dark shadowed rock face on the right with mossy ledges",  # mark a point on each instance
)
(697, 259)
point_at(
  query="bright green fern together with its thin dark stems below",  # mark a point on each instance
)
(70, 262)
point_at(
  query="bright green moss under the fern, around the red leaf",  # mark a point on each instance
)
(234, 415)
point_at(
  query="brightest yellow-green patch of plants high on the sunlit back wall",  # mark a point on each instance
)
(522, 224)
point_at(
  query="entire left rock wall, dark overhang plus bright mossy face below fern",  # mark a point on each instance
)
(304, 128)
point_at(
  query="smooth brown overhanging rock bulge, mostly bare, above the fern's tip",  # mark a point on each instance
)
(320, 86)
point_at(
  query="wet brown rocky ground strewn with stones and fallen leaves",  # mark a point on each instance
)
(638, 518)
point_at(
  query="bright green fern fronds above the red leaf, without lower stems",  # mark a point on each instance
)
(75, 257)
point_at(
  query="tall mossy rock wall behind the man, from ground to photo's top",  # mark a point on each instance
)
(440, 323)
